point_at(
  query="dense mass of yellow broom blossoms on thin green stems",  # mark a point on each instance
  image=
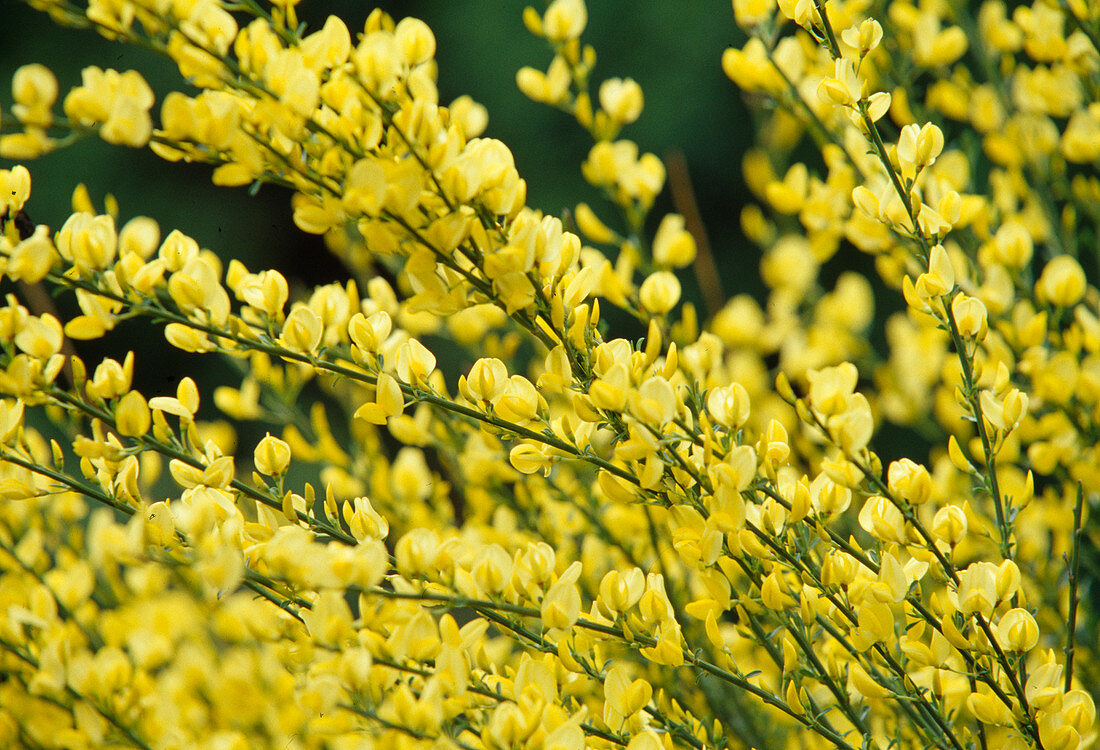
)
(581, 541)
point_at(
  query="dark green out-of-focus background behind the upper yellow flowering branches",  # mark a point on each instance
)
(673, 50)
